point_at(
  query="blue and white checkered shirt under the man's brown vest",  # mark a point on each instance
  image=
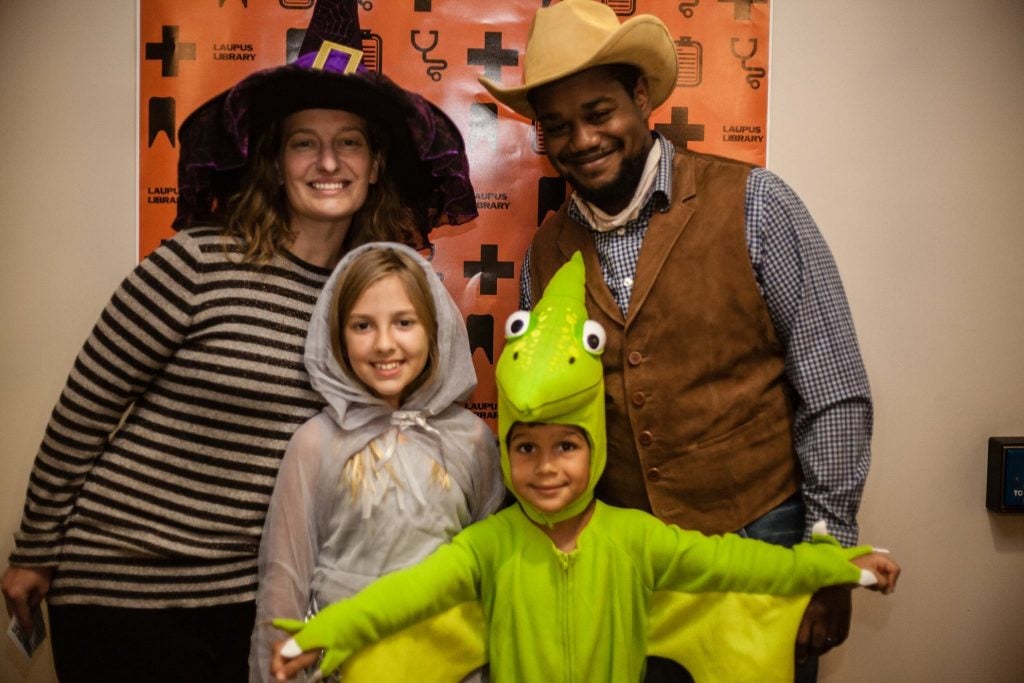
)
(801, 286)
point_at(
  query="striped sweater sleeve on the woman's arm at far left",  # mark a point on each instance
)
(139, 331)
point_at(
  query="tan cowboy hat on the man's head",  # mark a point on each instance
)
(575, 35)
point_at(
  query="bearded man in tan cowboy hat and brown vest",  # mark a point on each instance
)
(737, 397)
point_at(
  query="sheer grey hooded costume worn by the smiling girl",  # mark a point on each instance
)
(428, 471)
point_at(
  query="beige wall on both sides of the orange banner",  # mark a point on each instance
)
(899, 124)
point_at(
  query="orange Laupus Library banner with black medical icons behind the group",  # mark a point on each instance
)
(192, 50)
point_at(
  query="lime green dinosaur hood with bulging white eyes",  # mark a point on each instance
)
(550, 372)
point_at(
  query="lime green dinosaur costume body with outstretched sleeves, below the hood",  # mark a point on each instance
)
(586, 616)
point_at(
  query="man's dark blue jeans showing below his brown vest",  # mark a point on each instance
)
(783, 526)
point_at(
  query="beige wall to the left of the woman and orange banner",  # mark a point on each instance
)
(68, 212)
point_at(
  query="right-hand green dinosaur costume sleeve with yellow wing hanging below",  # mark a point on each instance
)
(726, 608)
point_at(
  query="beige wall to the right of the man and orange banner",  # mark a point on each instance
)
(900, 125)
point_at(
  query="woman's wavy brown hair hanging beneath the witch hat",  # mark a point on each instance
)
(258, 217)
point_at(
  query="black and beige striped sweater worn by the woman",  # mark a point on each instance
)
(199, 358)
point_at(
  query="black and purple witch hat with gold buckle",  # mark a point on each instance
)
(426, 155)
